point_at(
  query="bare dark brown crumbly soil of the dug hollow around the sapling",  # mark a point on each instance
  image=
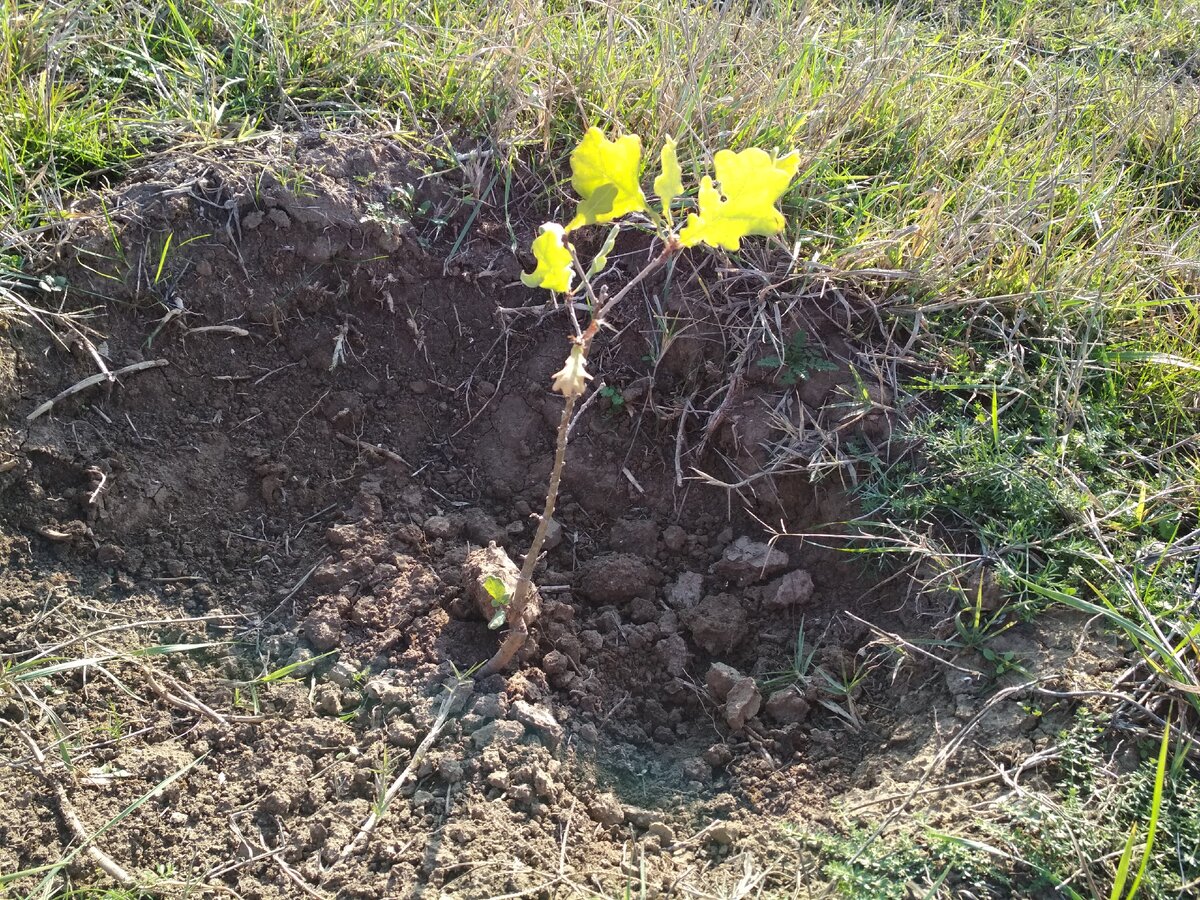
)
(301, 488)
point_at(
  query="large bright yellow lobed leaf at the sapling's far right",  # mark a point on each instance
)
(752, 183)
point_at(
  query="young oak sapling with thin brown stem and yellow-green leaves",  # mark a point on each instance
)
(607, 175)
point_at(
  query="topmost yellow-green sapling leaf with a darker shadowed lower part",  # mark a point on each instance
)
(599, 164)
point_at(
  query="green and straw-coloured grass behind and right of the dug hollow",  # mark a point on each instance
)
(1013, 188)
